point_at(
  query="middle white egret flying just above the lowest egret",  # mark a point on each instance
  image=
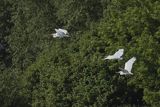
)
(117, 55)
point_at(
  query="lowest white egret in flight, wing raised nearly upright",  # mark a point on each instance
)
(128, 67)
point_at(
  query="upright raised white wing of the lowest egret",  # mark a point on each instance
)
(129, 64)
